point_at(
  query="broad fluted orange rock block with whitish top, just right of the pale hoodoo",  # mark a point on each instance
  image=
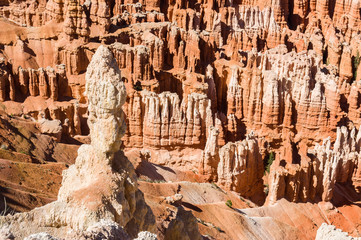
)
(162, 120)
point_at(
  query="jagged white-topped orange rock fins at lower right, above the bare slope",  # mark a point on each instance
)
(315, 179)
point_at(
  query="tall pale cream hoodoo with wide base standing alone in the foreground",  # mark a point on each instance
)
(102, 184)
